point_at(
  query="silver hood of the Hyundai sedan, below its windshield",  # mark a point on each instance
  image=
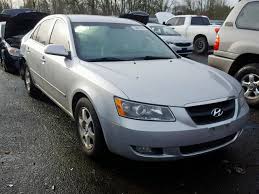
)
(176, 82)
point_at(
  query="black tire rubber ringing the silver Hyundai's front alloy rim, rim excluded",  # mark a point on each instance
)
(99, 147)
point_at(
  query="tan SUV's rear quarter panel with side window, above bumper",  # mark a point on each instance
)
(240, 35)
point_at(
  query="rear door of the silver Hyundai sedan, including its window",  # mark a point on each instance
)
(34, 51)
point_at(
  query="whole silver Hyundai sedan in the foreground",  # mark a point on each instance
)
(137, 97)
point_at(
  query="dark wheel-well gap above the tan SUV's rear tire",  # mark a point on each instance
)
(243, 60)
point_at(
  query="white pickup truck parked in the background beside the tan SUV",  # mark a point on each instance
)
(197, 29)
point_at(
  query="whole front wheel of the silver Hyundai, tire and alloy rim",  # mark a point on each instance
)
(89, 130)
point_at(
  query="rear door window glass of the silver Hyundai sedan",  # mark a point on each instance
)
(43, 34)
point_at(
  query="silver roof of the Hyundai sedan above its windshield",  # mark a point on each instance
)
(103, 19)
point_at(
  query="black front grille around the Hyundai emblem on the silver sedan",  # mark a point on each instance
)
(202, 115)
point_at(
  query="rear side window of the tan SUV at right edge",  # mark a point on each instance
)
(249, 17)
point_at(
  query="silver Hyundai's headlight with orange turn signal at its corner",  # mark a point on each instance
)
(140, 111)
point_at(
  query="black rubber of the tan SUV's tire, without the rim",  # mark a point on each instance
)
(248, 69)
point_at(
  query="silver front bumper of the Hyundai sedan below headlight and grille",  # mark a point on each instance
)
(177, 140)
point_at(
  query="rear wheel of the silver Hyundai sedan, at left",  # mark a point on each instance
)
(29, 85)
